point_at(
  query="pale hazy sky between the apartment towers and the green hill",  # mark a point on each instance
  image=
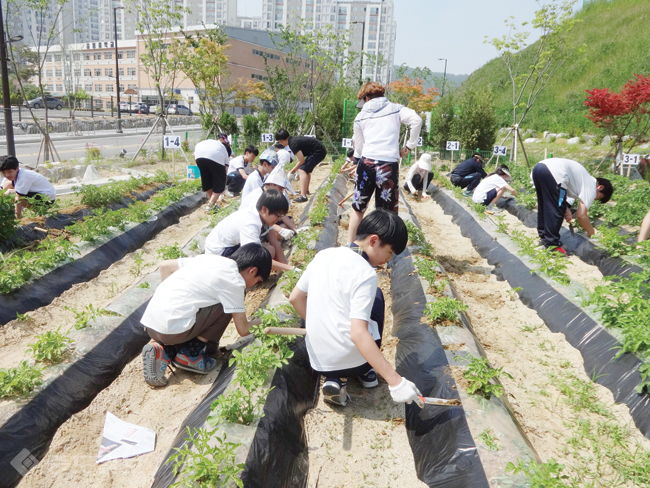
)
(453, 29)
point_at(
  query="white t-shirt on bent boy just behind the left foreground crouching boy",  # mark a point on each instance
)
(241, 227)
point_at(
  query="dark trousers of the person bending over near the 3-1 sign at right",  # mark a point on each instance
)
(551, 205)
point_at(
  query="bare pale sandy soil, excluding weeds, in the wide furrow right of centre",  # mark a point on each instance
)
(516, 338)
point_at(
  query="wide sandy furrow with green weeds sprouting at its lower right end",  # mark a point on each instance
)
(561, 410)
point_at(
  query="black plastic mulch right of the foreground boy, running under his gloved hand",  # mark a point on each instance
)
(443, 448)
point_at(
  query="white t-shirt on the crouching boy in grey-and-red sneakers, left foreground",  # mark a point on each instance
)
(203, 281)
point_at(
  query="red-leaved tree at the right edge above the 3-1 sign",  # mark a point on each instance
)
(623, 113)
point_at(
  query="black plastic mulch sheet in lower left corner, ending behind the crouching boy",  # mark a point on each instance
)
(33, 426)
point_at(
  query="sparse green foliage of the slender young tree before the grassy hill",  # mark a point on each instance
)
(531, 69)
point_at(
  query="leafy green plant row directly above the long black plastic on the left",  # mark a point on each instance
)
(22, 265)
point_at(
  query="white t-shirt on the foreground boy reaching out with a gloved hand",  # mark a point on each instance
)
(341, 286)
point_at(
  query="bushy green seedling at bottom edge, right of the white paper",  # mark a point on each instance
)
(205, 465)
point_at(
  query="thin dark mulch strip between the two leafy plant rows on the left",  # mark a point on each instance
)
(28, 233)
